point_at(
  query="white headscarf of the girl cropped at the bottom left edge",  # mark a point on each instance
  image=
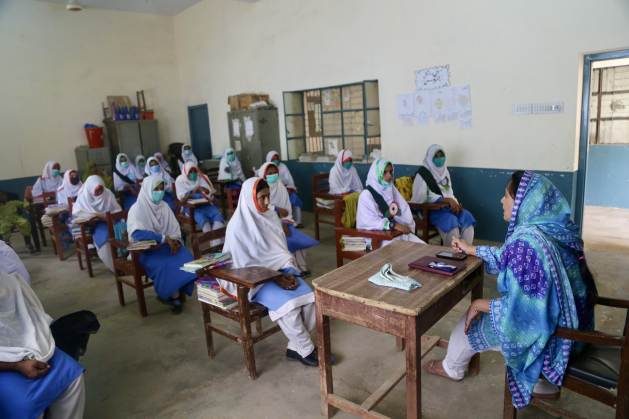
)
(25, 326)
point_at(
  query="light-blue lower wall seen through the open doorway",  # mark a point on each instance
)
(607, 178)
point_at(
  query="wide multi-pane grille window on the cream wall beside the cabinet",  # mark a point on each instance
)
(325, 120)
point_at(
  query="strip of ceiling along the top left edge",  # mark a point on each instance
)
(158, 7)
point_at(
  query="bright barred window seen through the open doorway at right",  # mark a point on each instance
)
(609, 107)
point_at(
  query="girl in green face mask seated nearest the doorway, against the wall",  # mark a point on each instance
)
(432, 183)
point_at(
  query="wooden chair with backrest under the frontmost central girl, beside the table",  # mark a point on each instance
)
(245, 314)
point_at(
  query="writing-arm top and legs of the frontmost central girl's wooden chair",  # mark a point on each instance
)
(246, 313)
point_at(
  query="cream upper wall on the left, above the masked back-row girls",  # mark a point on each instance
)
(57, 67)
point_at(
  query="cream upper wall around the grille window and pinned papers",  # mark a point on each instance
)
(509, 52)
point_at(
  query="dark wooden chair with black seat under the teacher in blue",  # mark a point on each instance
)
(599, 372)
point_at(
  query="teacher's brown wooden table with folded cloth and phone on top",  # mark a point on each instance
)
(346, 294)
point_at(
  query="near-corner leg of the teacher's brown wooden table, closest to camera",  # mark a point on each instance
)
(413, 369)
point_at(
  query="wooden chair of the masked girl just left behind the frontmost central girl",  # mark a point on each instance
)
(127, 271)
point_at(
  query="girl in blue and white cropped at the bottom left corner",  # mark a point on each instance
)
(35, 376)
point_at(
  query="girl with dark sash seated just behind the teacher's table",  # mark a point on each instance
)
(382, 207)
